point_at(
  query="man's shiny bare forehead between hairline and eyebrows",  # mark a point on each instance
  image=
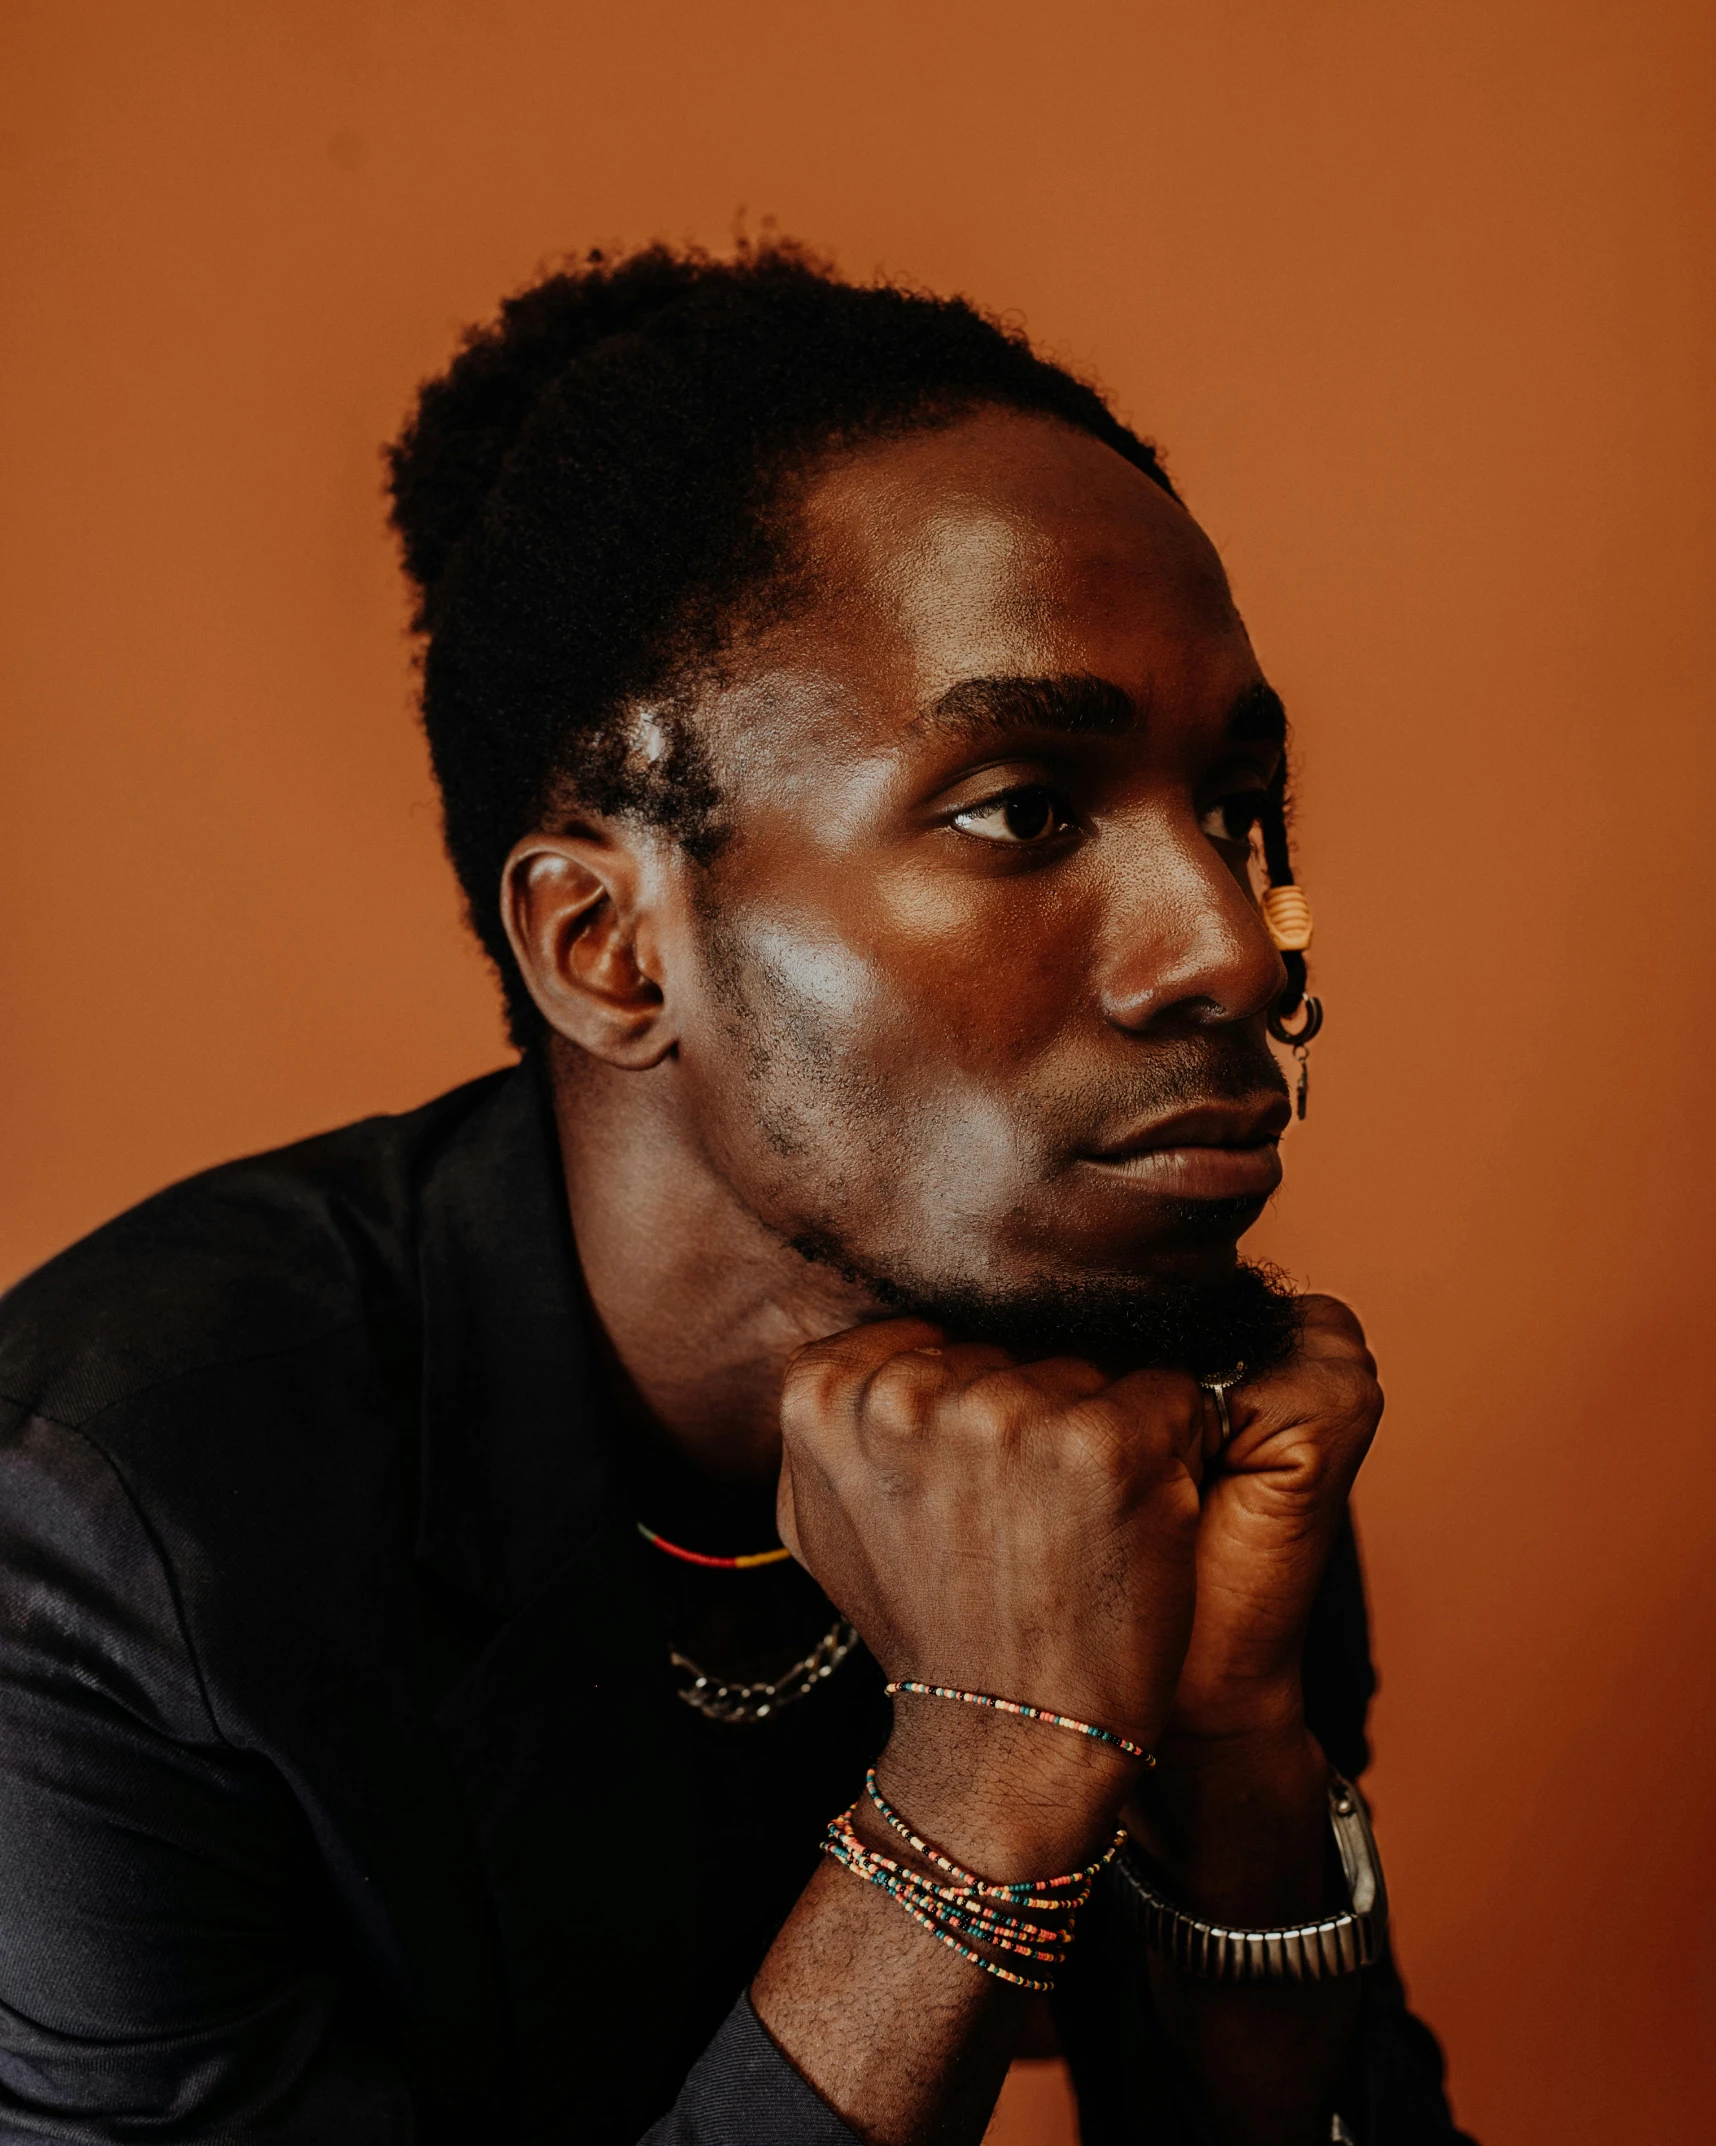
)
(1001, 546)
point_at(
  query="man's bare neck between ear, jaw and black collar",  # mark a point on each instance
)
(700, 1306)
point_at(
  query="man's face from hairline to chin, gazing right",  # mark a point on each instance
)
(979, 982)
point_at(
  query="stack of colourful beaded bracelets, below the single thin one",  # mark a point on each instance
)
(966, 1911)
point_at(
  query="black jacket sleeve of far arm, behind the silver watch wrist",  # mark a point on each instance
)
(1129, 2081)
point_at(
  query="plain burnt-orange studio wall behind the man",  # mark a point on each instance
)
(1419, 302)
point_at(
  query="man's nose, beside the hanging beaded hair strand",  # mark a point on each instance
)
(1183, 945)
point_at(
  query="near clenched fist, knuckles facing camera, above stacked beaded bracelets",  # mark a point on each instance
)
(1016, 1529)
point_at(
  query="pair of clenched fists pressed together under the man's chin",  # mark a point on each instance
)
(1074, 1540)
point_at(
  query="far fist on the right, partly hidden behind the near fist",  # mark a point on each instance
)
(1273, 1503)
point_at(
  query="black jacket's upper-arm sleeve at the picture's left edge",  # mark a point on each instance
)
(158, 1975)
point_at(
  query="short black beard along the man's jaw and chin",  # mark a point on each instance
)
(1247, 1317)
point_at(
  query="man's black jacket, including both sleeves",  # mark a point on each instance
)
(344, 1795)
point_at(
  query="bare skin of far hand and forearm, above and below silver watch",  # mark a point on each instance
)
(1237, 1812)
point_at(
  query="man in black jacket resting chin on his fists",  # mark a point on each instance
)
(413, 1722)
